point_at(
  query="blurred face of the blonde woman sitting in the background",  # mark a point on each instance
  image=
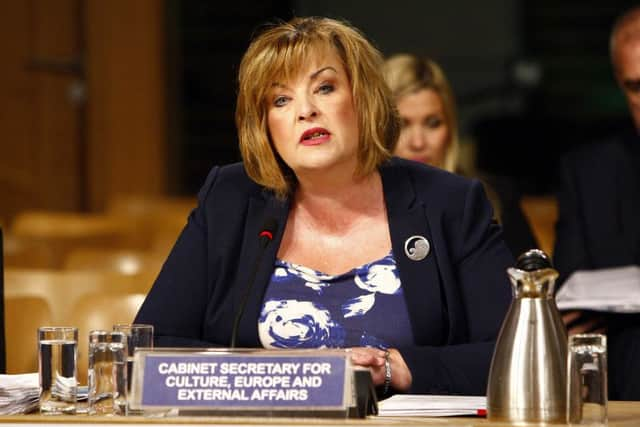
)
(424, 135)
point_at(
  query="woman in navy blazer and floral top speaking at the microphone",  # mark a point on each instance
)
(320, 239)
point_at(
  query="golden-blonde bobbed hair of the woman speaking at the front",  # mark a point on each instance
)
(279, 54)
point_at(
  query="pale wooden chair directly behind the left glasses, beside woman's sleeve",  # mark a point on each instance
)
(100, 310)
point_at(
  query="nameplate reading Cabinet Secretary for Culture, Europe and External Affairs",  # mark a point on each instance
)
(203, 379)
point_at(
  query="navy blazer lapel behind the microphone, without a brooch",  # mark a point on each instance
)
(256, 263)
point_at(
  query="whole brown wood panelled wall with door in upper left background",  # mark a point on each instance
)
(82, 103)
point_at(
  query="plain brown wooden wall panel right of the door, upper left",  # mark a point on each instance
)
(126, 86)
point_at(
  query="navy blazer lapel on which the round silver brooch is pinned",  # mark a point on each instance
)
(420, 279)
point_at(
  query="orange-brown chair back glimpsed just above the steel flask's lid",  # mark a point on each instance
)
(542, 214)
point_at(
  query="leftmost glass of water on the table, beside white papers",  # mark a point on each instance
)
(58, 369)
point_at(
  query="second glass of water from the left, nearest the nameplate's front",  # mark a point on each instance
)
(107, 373)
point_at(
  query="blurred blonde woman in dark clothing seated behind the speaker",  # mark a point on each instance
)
(429, 134)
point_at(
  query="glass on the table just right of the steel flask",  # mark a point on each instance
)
(587, 380)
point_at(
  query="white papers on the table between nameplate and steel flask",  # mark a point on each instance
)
(426, 405)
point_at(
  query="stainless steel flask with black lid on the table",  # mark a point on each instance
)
(527, 380)
